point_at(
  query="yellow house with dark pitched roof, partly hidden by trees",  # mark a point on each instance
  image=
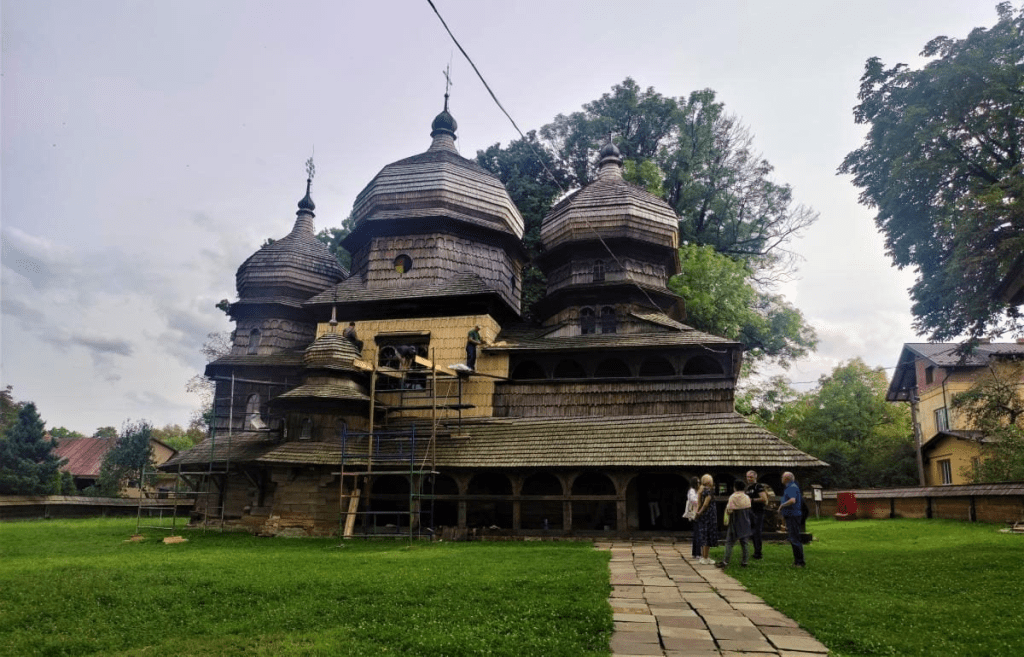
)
(928, 376)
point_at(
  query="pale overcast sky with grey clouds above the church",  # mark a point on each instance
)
(150, 148)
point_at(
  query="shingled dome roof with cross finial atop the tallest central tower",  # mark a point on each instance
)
(436, 185)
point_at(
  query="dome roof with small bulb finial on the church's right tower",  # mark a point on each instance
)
(611, 208)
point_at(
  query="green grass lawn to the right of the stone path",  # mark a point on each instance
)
(901, 588)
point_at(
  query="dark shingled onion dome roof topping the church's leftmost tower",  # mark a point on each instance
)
(295, 268)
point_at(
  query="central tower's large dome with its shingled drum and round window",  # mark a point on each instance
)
(434, 227)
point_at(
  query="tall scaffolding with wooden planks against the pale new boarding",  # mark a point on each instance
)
(395, 450)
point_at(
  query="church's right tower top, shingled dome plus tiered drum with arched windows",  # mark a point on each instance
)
(611, 243)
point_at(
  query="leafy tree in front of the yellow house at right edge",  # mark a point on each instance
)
(995, 405)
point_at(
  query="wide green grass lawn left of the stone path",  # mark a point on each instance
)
(76, 588)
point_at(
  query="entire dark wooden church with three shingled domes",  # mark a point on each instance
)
(348, 406)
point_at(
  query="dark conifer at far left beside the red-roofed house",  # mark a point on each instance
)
(28, 465)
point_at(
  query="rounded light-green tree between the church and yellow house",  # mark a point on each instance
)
(847, 423)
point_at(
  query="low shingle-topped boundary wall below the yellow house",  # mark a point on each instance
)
(1002, 503)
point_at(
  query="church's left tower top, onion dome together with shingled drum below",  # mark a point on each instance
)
(274, 282)
